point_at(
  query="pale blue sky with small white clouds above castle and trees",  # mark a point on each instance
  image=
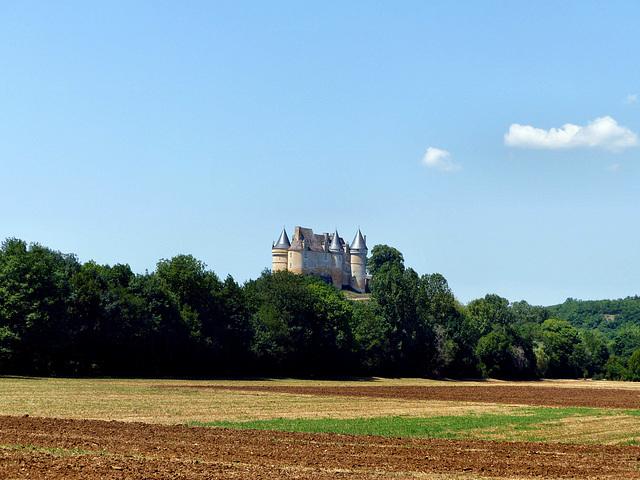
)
(492, 142)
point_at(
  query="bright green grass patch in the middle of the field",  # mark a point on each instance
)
(522, 425)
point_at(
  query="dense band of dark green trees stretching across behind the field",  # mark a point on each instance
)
(61, 317)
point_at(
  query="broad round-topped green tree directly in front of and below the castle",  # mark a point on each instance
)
(301, 325)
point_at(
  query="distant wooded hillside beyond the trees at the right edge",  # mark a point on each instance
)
(604, 315)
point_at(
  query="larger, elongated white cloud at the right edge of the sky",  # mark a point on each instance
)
(602, 132)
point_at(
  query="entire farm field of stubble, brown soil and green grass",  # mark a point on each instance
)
(365, 428)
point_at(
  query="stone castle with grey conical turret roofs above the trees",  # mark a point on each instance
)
(326, 256)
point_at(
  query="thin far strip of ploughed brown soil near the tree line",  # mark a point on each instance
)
(512, 394)
